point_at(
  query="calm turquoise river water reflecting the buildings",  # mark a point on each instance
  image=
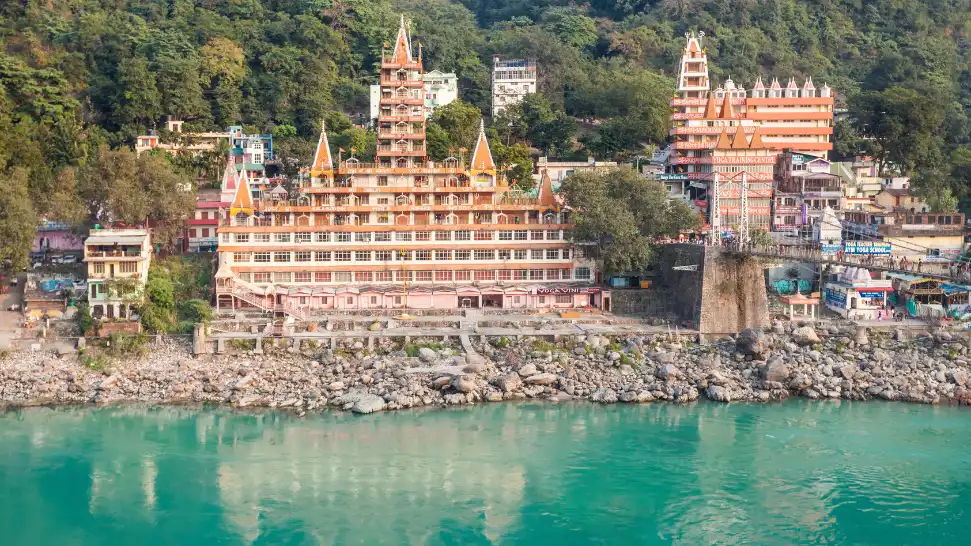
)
(796, 473)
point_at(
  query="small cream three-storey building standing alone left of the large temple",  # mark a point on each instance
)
(118, 261)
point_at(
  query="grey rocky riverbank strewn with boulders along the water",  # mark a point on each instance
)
(834, 361)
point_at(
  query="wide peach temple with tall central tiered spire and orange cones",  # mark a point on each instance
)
(403, 232)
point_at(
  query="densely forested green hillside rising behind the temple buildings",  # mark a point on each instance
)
(78, 76)
